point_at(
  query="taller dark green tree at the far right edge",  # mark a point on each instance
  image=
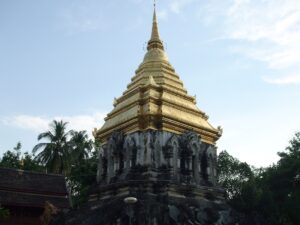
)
(282, 182)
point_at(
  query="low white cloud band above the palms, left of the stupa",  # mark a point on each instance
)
(41, 124)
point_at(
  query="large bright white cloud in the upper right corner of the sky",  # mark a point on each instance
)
(268, 30)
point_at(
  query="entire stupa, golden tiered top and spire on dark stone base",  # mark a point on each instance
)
(158, 160)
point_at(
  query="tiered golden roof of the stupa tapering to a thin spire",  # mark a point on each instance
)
(156, 99)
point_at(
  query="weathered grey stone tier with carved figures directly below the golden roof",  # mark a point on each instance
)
(157, 155)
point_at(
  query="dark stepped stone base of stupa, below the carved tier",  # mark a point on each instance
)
(158, 203)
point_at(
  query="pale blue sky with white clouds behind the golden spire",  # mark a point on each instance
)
(62, 59)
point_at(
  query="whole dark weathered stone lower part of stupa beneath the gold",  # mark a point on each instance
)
(172, 176)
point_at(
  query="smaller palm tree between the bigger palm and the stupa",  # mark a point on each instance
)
(81, 146)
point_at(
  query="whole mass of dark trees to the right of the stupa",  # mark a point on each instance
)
(268, 196)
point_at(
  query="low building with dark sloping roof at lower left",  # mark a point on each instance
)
(31, 198)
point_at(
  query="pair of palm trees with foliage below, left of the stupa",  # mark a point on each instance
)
(69, 152)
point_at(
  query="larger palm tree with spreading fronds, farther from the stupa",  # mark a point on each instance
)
(54, 154)
